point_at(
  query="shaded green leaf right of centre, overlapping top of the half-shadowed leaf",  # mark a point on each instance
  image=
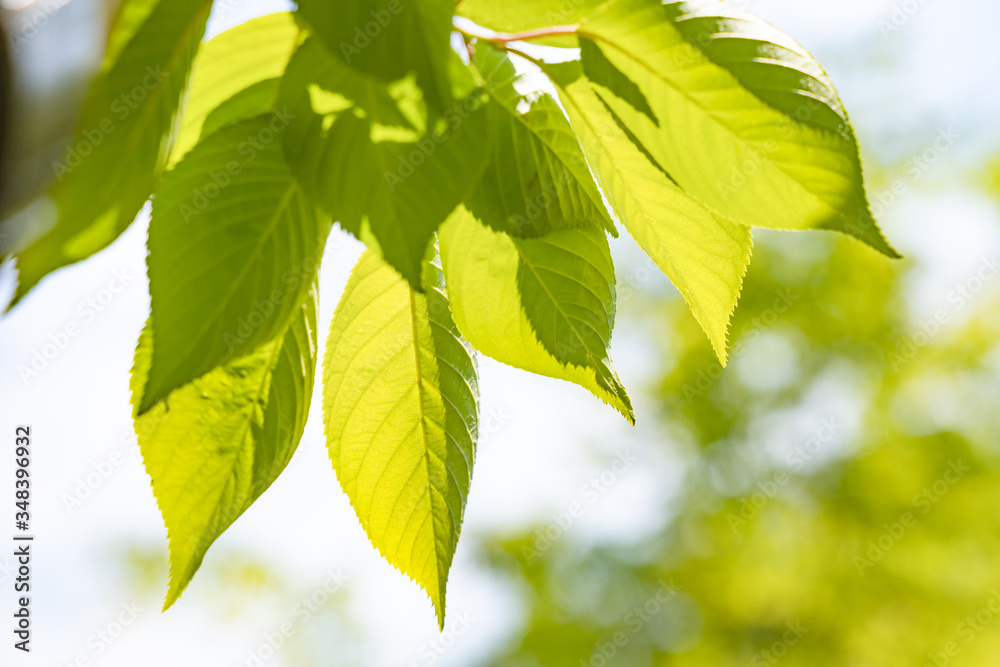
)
(538, 179)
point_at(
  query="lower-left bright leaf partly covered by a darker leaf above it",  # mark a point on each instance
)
(213, 446)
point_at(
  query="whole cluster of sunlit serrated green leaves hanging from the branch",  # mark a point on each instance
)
(485, 209)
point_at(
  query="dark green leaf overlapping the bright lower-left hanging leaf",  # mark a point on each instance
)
(233, 247)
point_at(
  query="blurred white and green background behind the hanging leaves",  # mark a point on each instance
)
(831, 498)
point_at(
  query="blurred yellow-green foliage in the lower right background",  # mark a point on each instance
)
(871, 538)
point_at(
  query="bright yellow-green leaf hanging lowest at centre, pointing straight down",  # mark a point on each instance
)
(400, 404)
